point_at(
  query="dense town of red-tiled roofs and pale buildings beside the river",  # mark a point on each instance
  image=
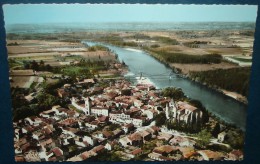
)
(118, 122)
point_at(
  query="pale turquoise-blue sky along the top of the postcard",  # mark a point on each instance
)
(84, 13)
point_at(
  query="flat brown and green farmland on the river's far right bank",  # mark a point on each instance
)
(195, 51)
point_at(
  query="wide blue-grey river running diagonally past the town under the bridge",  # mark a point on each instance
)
(139, 62)
